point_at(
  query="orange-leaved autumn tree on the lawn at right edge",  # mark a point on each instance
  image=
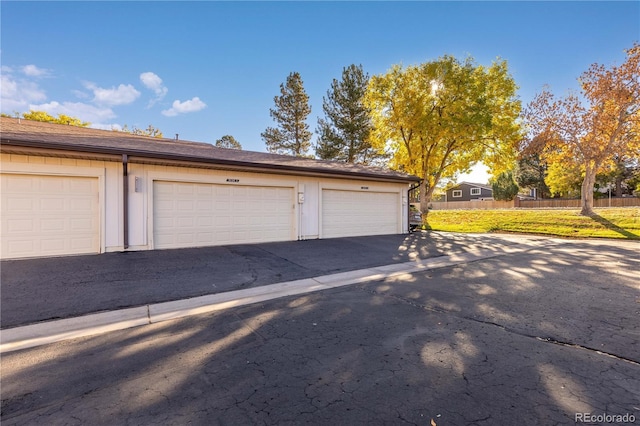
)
(593, 128)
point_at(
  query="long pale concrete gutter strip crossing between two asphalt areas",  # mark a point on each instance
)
(54, 331)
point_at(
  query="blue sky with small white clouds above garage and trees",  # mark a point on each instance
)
(206, 69)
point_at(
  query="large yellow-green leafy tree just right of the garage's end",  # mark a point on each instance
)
(441, 117)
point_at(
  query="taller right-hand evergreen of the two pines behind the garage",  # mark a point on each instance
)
(344, 132)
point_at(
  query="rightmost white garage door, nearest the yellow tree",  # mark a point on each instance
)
(356, 213)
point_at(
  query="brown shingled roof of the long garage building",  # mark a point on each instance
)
(33, 134)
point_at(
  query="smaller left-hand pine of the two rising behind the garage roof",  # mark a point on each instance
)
(292, 135)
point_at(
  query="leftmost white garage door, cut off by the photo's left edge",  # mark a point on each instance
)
(49, 215)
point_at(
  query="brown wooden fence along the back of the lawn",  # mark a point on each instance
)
(533, 204)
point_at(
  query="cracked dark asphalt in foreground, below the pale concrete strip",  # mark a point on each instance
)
(528, 338)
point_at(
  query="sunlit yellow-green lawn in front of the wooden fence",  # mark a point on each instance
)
(607, 223)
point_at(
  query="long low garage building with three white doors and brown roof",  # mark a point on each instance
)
(71, 190)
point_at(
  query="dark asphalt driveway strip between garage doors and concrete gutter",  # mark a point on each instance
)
(36, 290)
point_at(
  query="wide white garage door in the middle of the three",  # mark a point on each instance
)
(196, 214)
